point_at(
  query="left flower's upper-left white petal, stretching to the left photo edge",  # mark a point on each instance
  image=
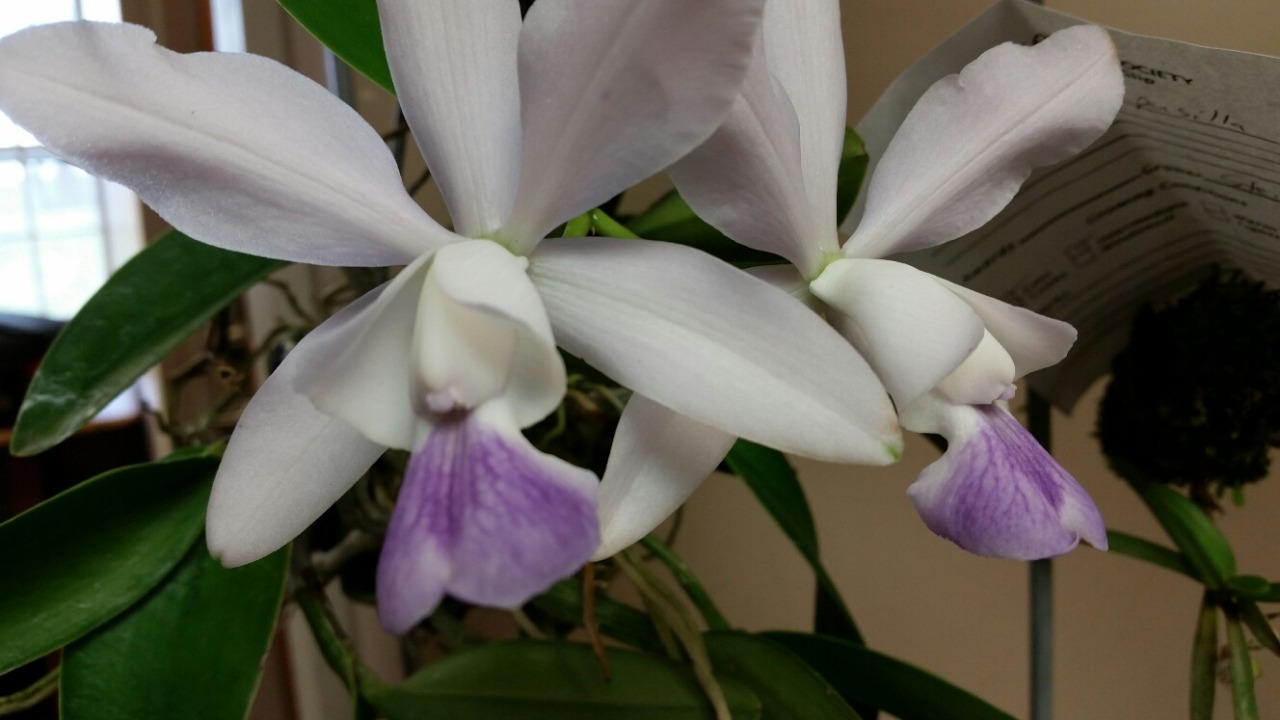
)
(235, 151)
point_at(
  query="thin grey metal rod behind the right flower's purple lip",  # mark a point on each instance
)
(1041, 589)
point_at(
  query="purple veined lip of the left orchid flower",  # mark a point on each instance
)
(486, 518)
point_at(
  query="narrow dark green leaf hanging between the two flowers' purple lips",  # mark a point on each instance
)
(776, 486)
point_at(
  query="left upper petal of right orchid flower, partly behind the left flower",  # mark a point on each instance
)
(747, 179)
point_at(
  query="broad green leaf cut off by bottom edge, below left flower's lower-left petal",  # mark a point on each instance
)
(194, 649)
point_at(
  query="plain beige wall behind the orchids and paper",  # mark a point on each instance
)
(1123, 632)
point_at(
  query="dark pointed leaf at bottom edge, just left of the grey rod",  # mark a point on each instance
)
(866, 677)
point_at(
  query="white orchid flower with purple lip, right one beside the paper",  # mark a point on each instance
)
(948, 356)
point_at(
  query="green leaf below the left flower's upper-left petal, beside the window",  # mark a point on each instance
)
(154, 303)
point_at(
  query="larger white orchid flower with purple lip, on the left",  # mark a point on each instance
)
(524, 125)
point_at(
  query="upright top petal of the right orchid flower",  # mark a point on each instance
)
(807, 54)
